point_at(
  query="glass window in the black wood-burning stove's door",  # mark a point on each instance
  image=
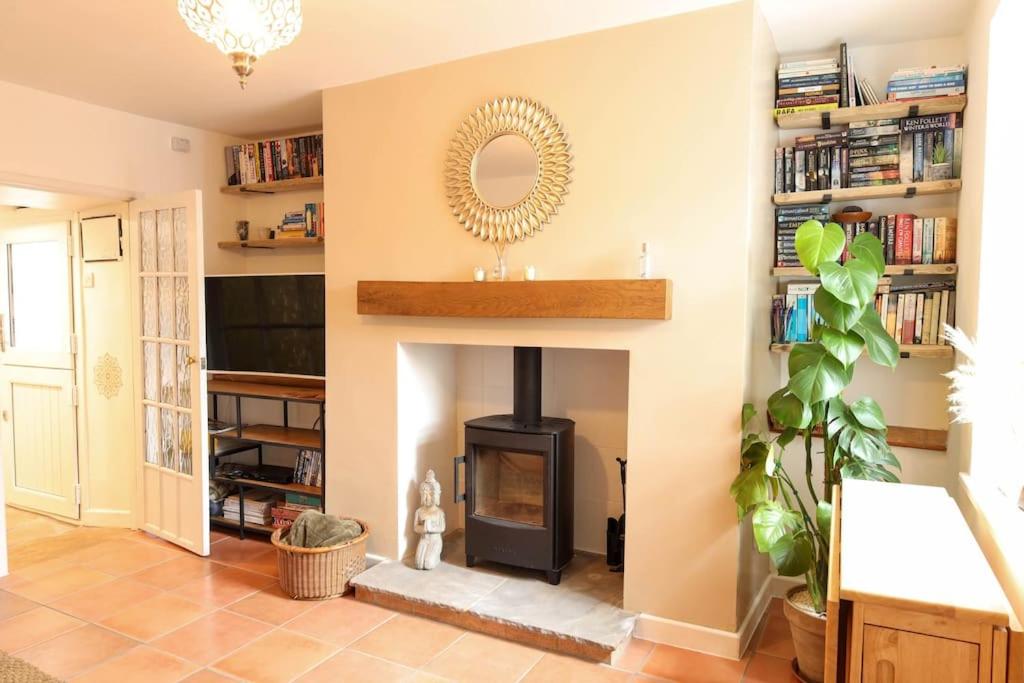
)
(509, 486)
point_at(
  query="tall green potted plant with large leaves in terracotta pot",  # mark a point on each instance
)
(794, 531)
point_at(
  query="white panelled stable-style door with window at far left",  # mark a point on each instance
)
(37, 368)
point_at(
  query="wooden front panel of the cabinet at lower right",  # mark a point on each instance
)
(902, 657)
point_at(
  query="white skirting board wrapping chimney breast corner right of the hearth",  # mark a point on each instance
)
(732, 645)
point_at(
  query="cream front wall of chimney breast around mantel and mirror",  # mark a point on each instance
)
(658, 117)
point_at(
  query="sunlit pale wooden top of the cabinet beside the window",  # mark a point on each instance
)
(910, 547)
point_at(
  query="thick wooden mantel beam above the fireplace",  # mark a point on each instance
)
(614, 300)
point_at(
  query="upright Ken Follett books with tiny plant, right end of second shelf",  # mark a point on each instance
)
(931, 148)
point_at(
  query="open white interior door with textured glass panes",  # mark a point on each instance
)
(172, 353)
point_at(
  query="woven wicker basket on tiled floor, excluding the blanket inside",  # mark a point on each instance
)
(319, 574)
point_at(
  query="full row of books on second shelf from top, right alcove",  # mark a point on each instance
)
(873, 153)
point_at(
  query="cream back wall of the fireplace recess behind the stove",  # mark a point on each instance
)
(590, 388)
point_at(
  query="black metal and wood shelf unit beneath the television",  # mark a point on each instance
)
(242, 439)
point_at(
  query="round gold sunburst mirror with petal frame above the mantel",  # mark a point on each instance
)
(507, 170)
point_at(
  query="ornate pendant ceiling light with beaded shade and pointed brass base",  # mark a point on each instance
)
(244, 30)
